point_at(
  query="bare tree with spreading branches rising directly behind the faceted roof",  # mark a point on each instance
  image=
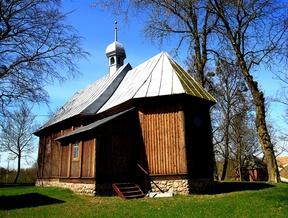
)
(191, 22)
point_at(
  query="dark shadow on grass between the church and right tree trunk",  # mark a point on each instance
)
(226, 187)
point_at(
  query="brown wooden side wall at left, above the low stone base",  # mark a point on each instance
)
(56, 160)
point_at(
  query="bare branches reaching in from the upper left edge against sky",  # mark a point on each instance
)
(35, 42)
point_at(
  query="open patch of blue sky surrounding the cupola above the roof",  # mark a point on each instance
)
(97, 29)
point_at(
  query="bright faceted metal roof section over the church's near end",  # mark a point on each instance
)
(158, 76)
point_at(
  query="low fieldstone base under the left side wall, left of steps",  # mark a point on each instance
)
(81, 188)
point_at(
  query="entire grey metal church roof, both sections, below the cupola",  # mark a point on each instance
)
(158, 76)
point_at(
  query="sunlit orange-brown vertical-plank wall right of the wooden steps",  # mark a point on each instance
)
(164, 139)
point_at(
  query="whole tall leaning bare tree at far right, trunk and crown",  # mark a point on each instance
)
(255, 30)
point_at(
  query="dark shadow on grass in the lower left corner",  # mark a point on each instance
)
(26, 200)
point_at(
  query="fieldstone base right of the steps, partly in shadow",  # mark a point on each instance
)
(182, 186)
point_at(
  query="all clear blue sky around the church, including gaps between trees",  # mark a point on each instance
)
(97, 29)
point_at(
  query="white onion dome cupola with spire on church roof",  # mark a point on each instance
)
(115, 53)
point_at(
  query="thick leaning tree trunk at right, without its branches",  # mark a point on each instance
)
(258, 98)
